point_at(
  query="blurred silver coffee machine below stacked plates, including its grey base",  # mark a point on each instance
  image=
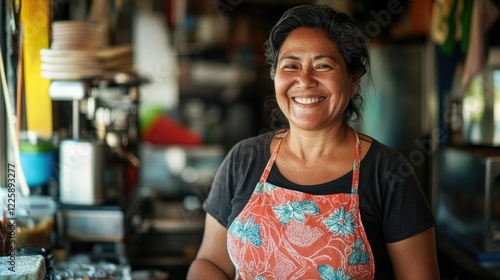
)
(98, 162)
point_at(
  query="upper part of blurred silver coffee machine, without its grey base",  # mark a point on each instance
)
(94, 162)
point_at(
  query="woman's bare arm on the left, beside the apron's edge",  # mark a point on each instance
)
(212, 260)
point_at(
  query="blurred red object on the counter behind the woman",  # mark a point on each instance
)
(164, 131)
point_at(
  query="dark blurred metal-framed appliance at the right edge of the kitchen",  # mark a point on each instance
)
(468, 199)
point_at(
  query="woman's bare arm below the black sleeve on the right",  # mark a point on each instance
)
(415, 257)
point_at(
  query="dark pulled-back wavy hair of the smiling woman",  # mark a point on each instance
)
(341, 30)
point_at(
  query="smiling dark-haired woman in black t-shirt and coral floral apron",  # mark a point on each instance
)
(309, 200)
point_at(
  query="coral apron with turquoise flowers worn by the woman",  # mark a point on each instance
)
(287, 234)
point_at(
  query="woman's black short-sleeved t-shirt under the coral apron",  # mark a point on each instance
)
(392, 204)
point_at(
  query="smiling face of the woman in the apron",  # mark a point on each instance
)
(312, 84)
